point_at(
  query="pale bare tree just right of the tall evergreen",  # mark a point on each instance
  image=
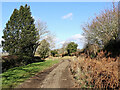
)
(44, 33)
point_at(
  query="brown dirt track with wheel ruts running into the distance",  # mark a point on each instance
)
(58, 76)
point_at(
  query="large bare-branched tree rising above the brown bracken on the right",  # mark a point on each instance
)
(103, 27)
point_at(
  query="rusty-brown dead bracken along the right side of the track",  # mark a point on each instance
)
(100, 72)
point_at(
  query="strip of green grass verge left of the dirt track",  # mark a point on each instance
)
(13, 77)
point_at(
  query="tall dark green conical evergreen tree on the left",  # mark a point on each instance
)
(20, 35)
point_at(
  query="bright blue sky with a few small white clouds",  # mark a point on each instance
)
(64, 19)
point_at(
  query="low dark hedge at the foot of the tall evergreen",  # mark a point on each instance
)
(11, 61)
